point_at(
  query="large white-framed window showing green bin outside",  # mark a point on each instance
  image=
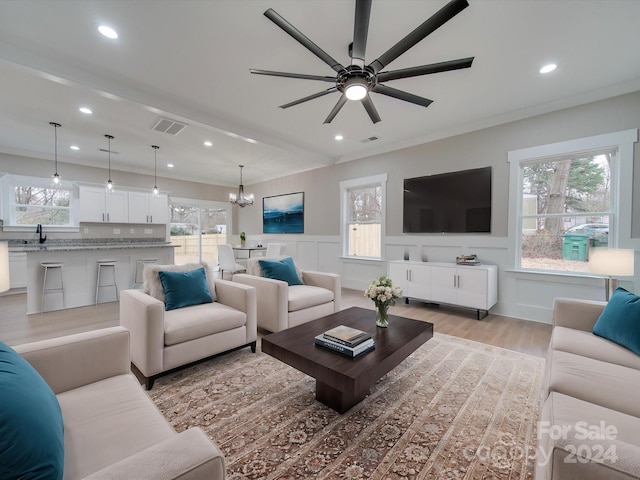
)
(570, 198)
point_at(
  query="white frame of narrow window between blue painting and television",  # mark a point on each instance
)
(345, 186)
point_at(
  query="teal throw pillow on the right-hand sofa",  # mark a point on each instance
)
(620, 320)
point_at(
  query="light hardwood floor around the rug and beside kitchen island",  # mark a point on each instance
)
(17, 327)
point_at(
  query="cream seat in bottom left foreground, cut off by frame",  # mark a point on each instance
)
(112, 429)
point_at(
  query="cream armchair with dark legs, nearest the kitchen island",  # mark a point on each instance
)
(162, 341)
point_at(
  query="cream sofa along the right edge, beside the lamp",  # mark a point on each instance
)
(590, 416)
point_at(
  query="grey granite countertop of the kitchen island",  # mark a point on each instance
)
(97, 244)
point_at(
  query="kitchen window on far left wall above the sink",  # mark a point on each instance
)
(31, 201)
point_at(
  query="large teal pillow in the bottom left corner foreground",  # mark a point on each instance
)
(31, 429)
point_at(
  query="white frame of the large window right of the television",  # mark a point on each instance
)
(621, 185)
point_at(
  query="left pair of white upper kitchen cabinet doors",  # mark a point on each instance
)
(98, 205)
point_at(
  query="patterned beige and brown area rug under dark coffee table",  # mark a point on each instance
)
(453, 409)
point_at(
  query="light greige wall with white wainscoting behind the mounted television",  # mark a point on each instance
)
(523, 295)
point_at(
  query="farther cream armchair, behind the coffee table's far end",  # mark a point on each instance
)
(282, 306)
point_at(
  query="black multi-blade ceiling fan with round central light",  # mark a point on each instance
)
(357, 81)
